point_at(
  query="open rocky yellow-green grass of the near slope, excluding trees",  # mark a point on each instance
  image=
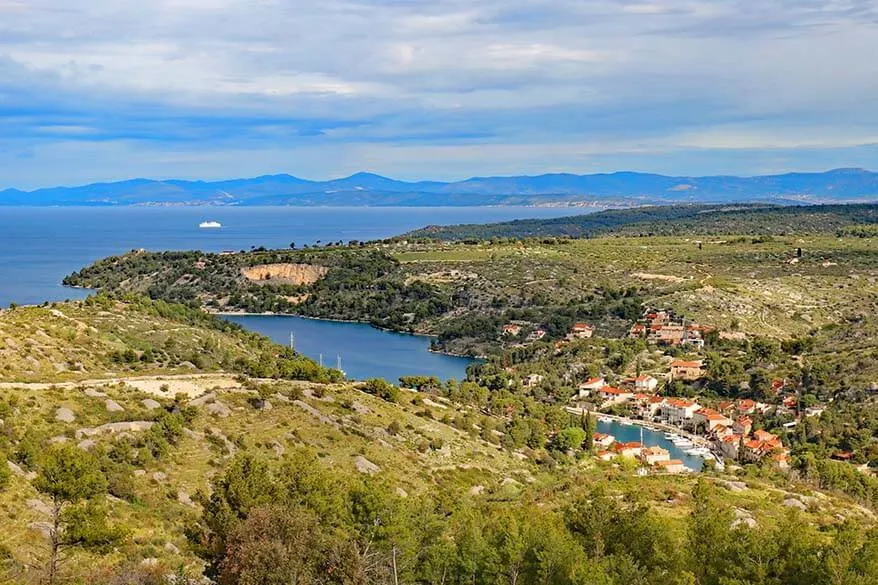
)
(339, 422)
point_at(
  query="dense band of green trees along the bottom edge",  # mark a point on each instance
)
(299, 523)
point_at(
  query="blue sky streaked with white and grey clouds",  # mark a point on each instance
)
(441, 89)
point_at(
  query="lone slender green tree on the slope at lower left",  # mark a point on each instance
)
(70, 476)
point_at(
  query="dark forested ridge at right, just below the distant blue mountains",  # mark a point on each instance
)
(670, 220)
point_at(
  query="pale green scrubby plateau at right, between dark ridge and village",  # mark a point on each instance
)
(729, 280)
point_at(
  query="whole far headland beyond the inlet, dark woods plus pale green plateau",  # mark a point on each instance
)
(464, 292)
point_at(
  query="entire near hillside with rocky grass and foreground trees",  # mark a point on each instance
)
(258, 480)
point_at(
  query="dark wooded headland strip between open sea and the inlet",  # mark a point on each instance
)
(367, 285)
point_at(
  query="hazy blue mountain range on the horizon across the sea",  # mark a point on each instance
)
(621, 189)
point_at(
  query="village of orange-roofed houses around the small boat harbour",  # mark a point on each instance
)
(720, 431)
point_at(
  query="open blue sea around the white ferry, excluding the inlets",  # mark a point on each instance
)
(39, 246)
